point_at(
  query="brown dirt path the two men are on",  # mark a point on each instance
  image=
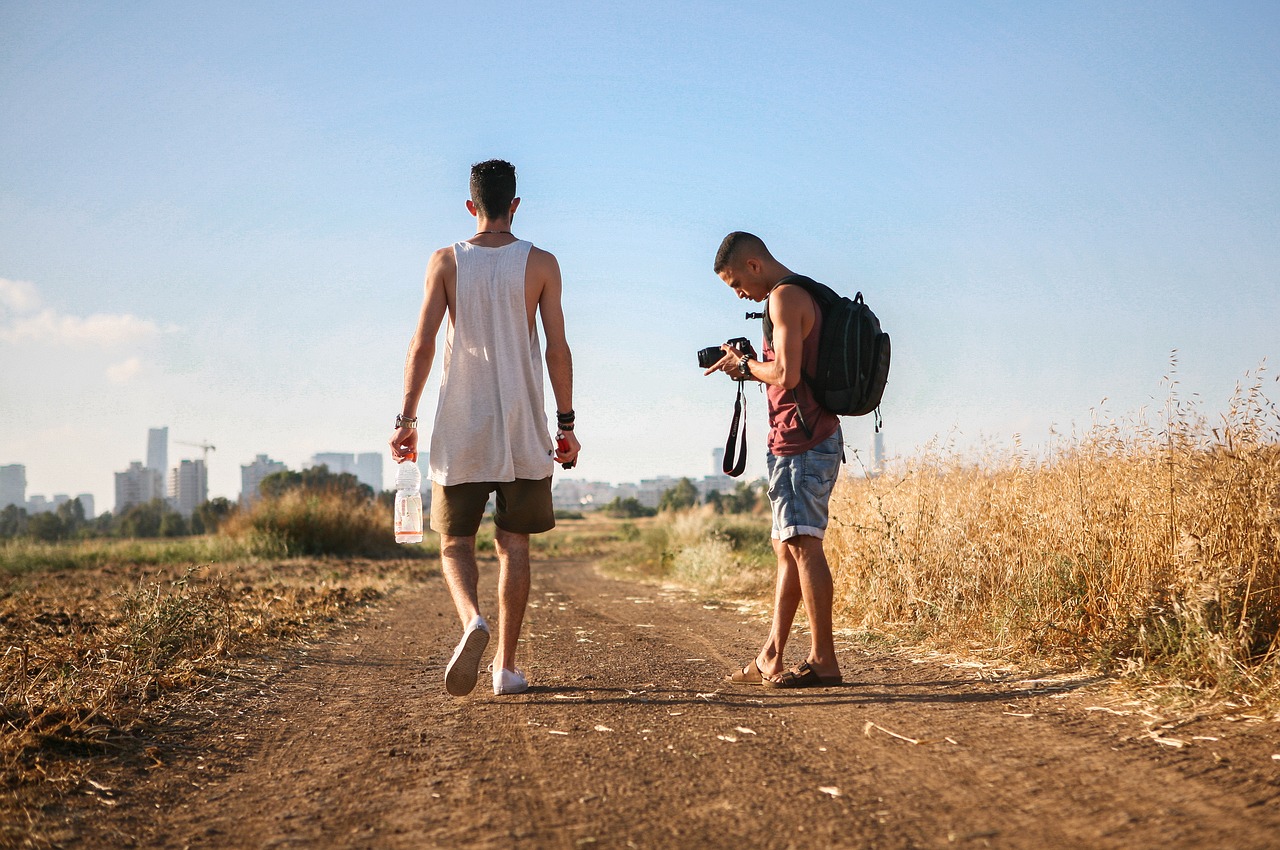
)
(630, 741)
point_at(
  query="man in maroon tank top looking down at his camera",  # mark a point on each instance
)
(806, 451)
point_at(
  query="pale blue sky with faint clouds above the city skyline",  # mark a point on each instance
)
(217, 217)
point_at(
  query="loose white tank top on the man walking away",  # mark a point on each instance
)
(491, 423)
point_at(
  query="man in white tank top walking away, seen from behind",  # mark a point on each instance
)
(491, 431)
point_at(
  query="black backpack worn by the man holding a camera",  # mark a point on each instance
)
(853, 353)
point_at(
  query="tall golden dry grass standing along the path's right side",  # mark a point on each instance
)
(1136, 547)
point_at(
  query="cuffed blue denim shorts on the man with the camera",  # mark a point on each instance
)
(801, 488)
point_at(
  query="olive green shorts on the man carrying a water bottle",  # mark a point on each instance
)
(524, 508)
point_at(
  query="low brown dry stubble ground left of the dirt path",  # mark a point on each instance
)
(94, 657)
